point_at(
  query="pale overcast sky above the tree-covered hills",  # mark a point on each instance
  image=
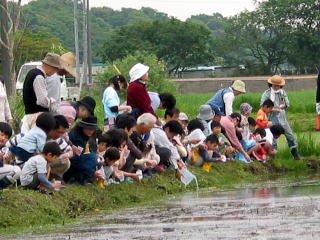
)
(181, 9)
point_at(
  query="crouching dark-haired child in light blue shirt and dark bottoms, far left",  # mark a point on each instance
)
(33, 141)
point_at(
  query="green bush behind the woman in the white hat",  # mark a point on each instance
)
(158, 78)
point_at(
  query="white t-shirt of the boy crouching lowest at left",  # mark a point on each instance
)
(36, 164)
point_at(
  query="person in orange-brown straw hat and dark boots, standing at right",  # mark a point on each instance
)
(278, 96)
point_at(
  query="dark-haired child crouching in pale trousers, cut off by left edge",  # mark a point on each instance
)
(9, 174)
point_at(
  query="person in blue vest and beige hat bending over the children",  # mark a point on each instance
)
(221, 103)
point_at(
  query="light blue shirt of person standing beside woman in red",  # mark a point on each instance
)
(110, 99)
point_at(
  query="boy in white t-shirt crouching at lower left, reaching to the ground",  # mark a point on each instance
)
(35, 171)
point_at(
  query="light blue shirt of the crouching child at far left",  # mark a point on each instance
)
(33, 141)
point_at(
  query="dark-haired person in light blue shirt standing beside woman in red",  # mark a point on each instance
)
(111, 101)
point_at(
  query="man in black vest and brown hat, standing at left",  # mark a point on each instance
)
(35, 93)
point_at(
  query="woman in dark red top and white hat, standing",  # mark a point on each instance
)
(137, 95)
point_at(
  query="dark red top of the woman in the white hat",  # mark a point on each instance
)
(138, 97)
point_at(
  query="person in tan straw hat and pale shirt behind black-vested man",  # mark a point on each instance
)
(67, 62)
